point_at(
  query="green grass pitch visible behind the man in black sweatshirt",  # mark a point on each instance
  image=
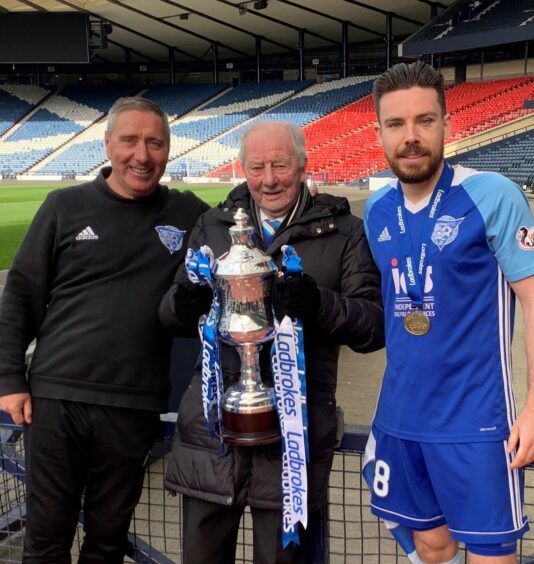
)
(19, 202)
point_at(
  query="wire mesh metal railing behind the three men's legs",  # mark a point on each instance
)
(345, 533)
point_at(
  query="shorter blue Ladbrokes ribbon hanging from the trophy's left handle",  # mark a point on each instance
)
(199, 266)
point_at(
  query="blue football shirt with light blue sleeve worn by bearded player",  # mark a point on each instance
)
(454, 383)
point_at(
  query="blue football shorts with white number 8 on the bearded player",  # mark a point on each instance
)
(467, 486)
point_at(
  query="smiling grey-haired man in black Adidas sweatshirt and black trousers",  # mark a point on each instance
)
(86, 284)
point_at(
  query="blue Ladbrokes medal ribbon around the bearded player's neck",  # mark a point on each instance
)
(415, 275)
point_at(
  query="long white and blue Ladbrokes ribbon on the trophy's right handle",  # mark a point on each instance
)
(289, 376)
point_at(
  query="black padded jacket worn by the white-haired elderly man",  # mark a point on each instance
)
(335, 252)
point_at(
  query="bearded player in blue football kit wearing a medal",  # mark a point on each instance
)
(447, 448)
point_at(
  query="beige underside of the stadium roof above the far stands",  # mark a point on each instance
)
(149, 28)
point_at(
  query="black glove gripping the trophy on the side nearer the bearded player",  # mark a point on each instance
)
(300, 296)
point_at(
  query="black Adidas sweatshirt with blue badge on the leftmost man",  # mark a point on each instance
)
(86, 283)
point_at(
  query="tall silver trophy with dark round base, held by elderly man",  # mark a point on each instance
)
(243, 280)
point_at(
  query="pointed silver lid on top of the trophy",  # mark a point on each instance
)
(243, 258)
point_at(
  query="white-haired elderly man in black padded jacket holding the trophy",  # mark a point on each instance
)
(338, 299)
